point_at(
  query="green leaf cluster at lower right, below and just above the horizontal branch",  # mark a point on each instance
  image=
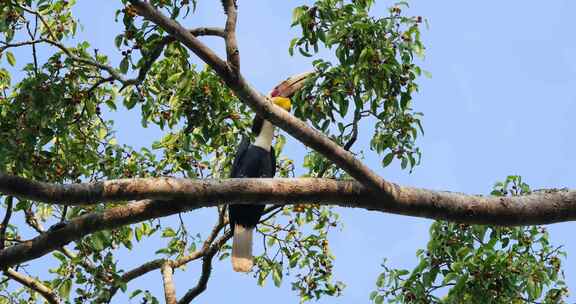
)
(480, 264)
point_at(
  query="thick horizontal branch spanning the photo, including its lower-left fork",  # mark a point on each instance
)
(170, 196)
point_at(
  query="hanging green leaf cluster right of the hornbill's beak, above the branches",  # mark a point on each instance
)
(373, 77)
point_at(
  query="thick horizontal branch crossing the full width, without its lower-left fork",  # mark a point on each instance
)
(537, 208)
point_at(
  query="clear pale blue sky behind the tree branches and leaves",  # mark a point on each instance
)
(501, 101)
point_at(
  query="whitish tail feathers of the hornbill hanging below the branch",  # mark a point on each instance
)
(242, 249)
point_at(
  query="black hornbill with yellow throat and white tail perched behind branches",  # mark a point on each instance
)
(256, 160)
